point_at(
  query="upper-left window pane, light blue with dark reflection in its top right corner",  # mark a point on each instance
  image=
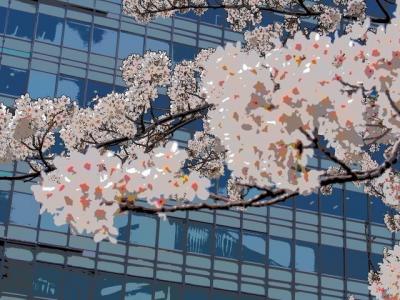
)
(76, 35)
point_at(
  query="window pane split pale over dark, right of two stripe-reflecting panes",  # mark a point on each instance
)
(253, 247)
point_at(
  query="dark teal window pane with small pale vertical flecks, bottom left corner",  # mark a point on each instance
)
(47, 282)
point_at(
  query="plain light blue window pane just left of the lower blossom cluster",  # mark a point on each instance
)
(24, 210)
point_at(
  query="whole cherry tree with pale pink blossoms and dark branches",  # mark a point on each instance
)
(267, 106)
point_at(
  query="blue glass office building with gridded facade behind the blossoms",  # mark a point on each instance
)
(315, 247)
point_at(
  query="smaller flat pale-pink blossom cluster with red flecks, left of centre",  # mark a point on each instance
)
(85, 190)
